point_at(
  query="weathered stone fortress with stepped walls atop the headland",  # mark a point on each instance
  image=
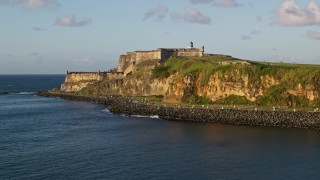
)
(127, 64)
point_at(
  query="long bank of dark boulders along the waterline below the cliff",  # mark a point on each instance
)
(128, 106)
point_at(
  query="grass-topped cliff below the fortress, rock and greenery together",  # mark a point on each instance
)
(213, 79)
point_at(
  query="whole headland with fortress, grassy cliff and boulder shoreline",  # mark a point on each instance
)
(190, 76)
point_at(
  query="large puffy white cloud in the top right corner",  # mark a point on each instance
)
(291, 14)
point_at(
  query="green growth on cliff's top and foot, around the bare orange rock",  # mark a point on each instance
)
(289, 76)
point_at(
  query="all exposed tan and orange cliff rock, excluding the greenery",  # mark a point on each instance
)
(175, 90)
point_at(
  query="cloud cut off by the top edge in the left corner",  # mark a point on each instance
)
(32, 4)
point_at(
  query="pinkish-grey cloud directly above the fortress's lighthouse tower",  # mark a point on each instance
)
(191, 16)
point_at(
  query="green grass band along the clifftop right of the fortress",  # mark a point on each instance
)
(231, 69)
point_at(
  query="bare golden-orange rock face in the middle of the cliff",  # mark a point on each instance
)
(219, 88)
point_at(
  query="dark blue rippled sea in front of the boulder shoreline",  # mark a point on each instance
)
(46, 138)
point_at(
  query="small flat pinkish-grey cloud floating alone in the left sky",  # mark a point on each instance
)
(72, 21)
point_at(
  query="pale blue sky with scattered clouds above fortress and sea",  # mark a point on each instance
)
(53, 36)
